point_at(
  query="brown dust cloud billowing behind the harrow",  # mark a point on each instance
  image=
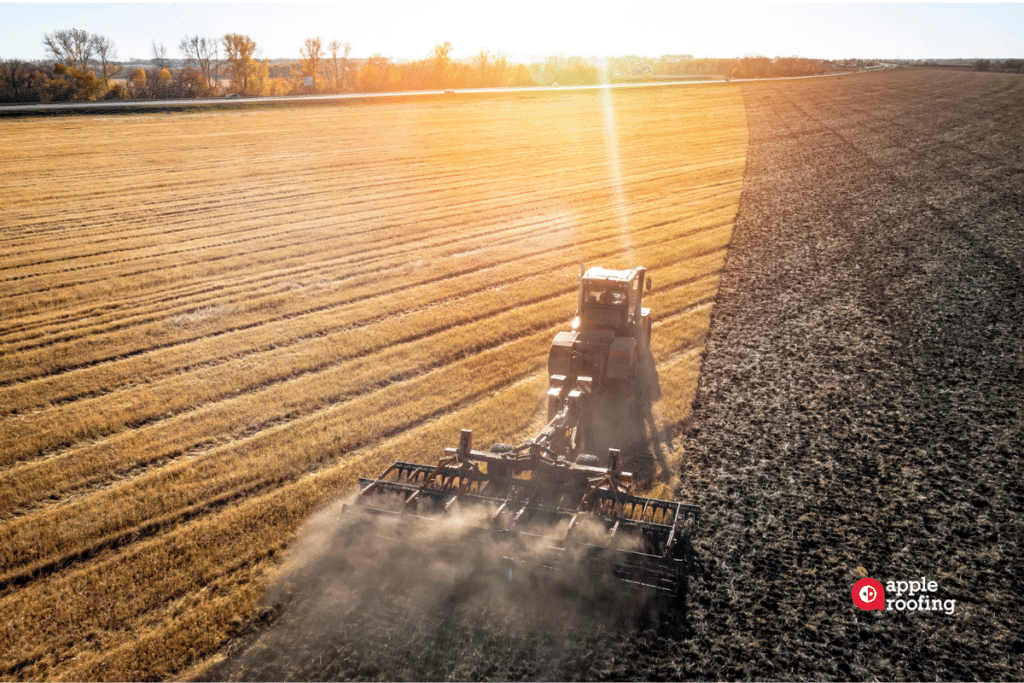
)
(397, 600)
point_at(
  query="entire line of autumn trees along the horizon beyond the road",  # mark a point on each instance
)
(83, 66)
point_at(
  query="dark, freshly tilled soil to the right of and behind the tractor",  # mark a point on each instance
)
(861, 406)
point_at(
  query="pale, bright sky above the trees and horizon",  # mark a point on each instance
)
(528, 31)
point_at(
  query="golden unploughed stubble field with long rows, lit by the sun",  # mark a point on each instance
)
(214, 323)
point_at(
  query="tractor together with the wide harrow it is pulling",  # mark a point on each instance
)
(568, 494)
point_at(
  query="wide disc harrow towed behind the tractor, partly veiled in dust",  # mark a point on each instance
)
(526, 499)
